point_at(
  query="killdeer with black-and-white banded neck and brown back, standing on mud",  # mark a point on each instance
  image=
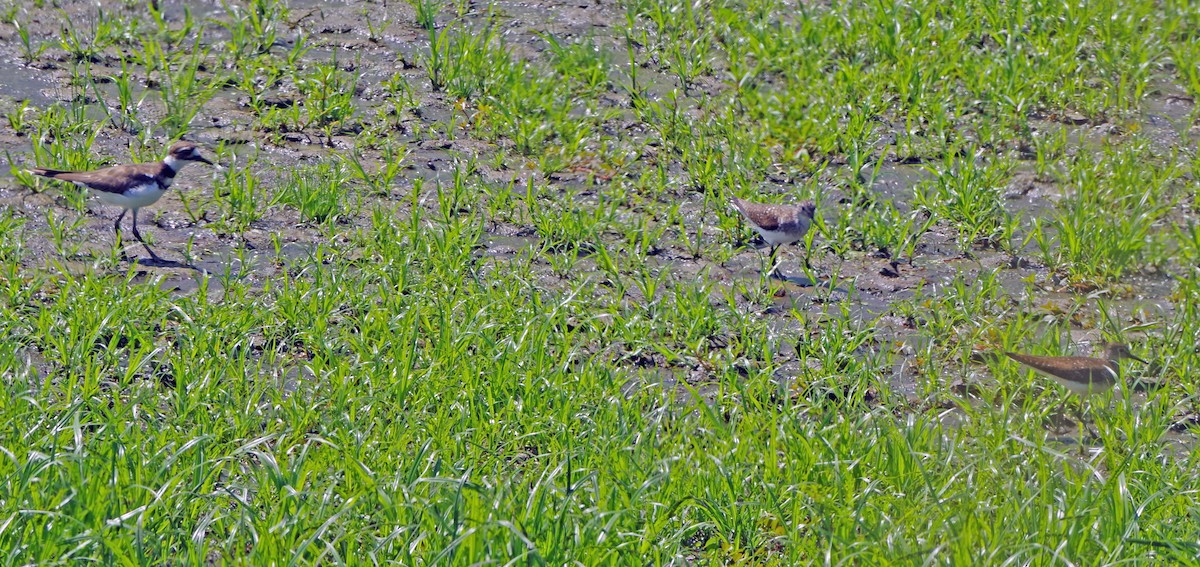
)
(131, 187)
